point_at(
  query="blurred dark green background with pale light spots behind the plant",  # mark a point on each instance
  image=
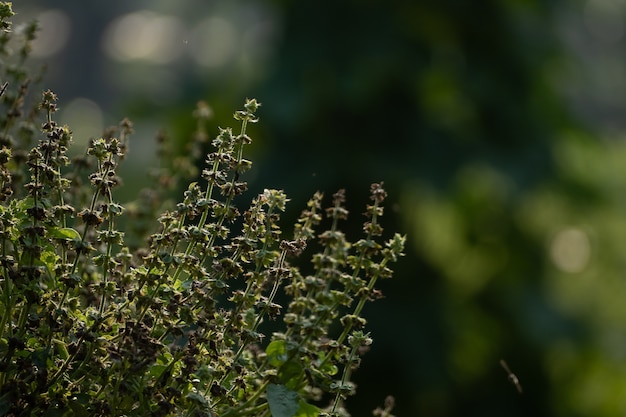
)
(496, 126)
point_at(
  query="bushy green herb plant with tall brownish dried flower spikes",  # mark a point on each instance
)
(137, 310)
